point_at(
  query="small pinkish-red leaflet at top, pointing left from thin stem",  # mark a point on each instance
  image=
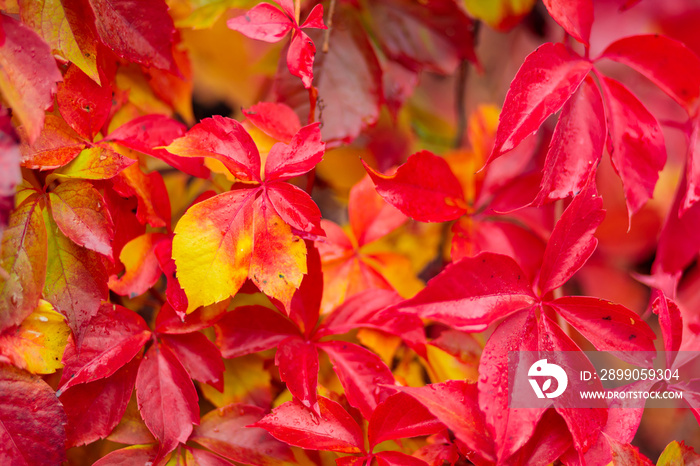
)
(262, 22)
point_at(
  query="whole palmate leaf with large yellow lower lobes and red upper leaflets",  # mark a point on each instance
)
(249, 232)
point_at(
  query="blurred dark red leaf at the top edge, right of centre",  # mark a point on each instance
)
(435, 34)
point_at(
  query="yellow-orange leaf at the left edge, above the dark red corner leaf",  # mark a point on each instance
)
(37, 344)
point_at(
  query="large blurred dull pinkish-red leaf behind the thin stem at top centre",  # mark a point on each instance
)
(348, 76)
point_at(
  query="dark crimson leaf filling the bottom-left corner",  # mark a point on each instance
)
(31, 420)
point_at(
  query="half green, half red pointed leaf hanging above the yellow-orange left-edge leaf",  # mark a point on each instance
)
(76, 279)
